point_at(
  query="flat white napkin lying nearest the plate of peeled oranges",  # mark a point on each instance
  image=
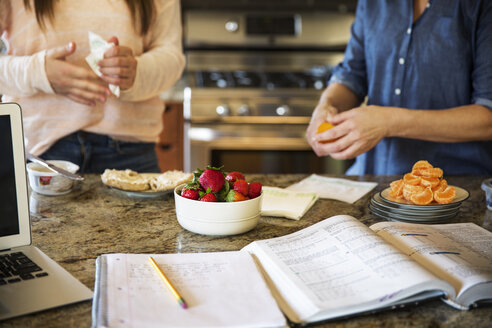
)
(334, 188)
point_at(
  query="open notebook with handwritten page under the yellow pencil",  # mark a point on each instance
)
(223, 289)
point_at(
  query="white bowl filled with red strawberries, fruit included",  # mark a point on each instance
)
(216, 203)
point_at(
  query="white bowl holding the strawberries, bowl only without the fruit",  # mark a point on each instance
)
(217, 218)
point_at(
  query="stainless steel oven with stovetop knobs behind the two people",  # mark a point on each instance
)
(253, 79)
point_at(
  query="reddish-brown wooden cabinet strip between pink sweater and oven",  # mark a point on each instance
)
(169, 148)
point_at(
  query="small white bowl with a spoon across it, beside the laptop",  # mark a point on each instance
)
(44, 181)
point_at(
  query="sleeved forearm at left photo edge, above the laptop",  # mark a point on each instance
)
(23, 76)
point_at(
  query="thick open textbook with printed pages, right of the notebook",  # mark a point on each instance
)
(340, 267)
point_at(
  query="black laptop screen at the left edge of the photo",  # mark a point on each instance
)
(9, 223)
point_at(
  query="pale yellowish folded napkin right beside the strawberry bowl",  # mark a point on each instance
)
(286, 203)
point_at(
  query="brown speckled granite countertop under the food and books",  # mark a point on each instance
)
(93, 219)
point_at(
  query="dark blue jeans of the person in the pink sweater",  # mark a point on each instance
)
(94, 153)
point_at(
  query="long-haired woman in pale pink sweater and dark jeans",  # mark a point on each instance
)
(68, 110)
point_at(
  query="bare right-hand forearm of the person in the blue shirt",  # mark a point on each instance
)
(458, 124)
